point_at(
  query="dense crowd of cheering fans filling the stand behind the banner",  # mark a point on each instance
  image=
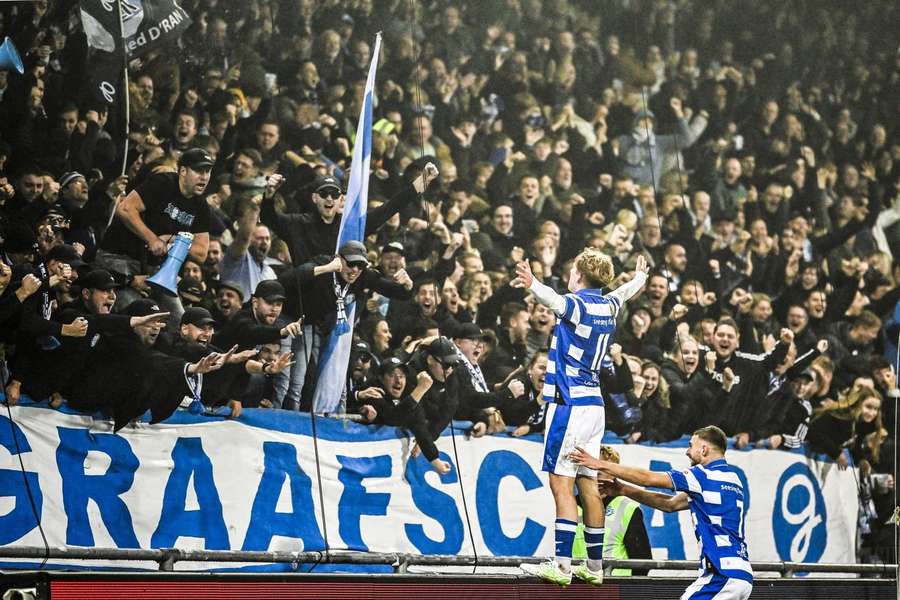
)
(748, 150)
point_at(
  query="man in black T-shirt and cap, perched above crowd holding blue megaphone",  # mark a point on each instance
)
(149, 218)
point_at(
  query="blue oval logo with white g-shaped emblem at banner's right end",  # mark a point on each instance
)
(799, 516)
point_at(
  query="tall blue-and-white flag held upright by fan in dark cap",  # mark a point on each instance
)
(331, 389)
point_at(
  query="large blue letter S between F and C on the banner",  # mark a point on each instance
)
(435, 504)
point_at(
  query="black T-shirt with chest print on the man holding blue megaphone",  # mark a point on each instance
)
(166, 212)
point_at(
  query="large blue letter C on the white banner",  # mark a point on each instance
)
(494, 467)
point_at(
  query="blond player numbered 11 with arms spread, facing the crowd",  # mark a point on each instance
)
(575, 415)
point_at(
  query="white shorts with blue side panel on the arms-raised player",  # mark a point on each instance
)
(567, 427)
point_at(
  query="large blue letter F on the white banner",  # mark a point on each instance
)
(356, 501)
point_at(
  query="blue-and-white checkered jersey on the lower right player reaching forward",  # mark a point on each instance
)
(718, 510)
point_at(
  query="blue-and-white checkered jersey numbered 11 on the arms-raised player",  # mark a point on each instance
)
(578, 346)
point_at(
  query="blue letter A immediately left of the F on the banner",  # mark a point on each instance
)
(280, 460)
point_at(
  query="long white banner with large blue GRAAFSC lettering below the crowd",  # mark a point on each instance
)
(199, 482)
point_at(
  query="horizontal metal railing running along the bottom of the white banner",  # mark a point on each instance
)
(167, 557)
